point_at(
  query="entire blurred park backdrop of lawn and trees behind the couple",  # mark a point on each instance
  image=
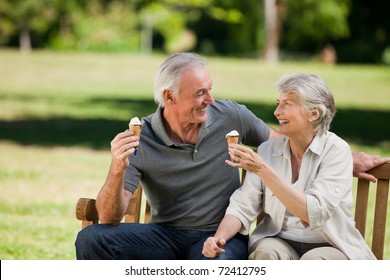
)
(74, 72)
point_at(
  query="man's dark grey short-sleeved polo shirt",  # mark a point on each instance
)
(189, 186)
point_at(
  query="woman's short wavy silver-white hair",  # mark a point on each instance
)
(314, 96)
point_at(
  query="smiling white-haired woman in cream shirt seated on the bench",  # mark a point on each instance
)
(302, 181)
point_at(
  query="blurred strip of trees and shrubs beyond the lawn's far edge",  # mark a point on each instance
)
(351, 31)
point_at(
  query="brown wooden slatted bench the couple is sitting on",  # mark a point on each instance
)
(139, 212)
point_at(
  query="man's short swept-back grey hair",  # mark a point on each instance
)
(169, 74)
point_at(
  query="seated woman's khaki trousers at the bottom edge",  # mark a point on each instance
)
(274, 248)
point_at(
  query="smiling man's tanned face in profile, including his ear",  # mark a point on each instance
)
(195, 96)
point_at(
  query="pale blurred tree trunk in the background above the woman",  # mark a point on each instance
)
(272, 32)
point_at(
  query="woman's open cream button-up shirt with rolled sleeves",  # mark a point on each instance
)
(326, 179)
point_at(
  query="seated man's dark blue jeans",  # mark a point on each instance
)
(127, 241)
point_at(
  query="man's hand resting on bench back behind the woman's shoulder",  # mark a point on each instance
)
(363, 162)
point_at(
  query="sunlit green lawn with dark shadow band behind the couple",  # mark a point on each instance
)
(59, 112)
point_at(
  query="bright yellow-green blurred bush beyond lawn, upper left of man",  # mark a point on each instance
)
(111, 27)
